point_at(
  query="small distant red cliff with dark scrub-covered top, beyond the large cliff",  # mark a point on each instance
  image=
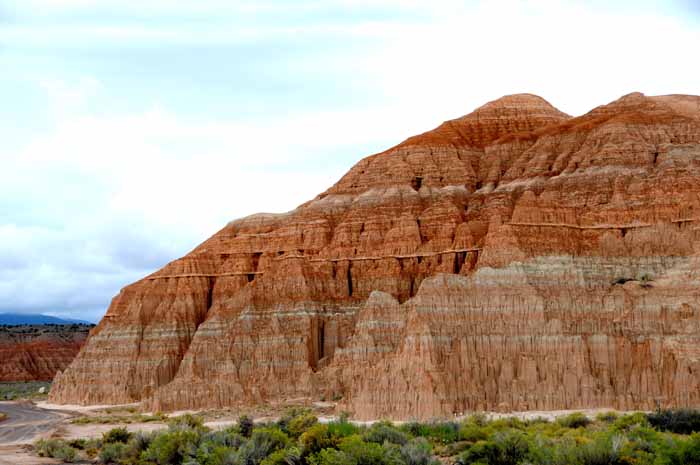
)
(37, 352)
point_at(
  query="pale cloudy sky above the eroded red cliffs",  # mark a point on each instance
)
(131, 131)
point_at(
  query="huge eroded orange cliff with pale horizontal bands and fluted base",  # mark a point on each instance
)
(516, 258)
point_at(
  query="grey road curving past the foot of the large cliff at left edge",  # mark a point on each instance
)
(25, 422)
